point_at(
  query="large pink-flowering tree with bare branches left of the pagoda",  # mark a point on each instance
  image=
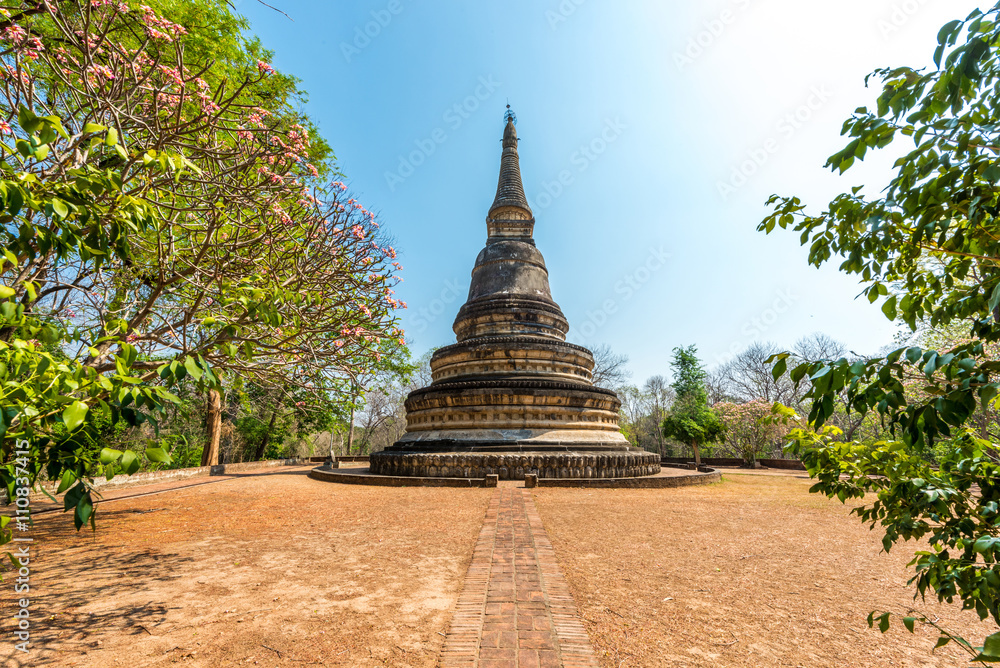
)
(164, 217)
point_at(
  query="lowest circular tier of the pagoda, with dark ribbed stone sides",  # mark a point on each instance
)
(511, 464)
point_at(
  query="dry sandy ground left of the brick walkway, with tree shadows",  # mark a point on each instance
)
(272, 569)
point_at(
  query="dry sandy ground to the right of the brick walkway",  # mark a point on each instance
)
(751, 572)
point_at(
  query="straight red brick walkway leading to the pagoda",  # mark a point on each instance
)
(515, 609)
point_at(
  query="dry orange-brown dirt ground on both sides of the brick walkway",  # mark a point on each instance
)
(276, 569)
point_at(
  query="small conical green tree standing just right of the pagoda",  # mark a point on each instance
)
(690, 420)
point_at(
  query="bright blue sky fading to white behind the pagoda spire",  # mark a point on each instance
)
(651, 135)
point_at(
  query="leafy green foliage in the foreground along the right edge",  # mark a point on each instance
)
(929, 246)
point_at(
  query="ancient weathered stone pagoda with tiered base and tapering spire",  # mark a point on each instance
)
(512, 397)
